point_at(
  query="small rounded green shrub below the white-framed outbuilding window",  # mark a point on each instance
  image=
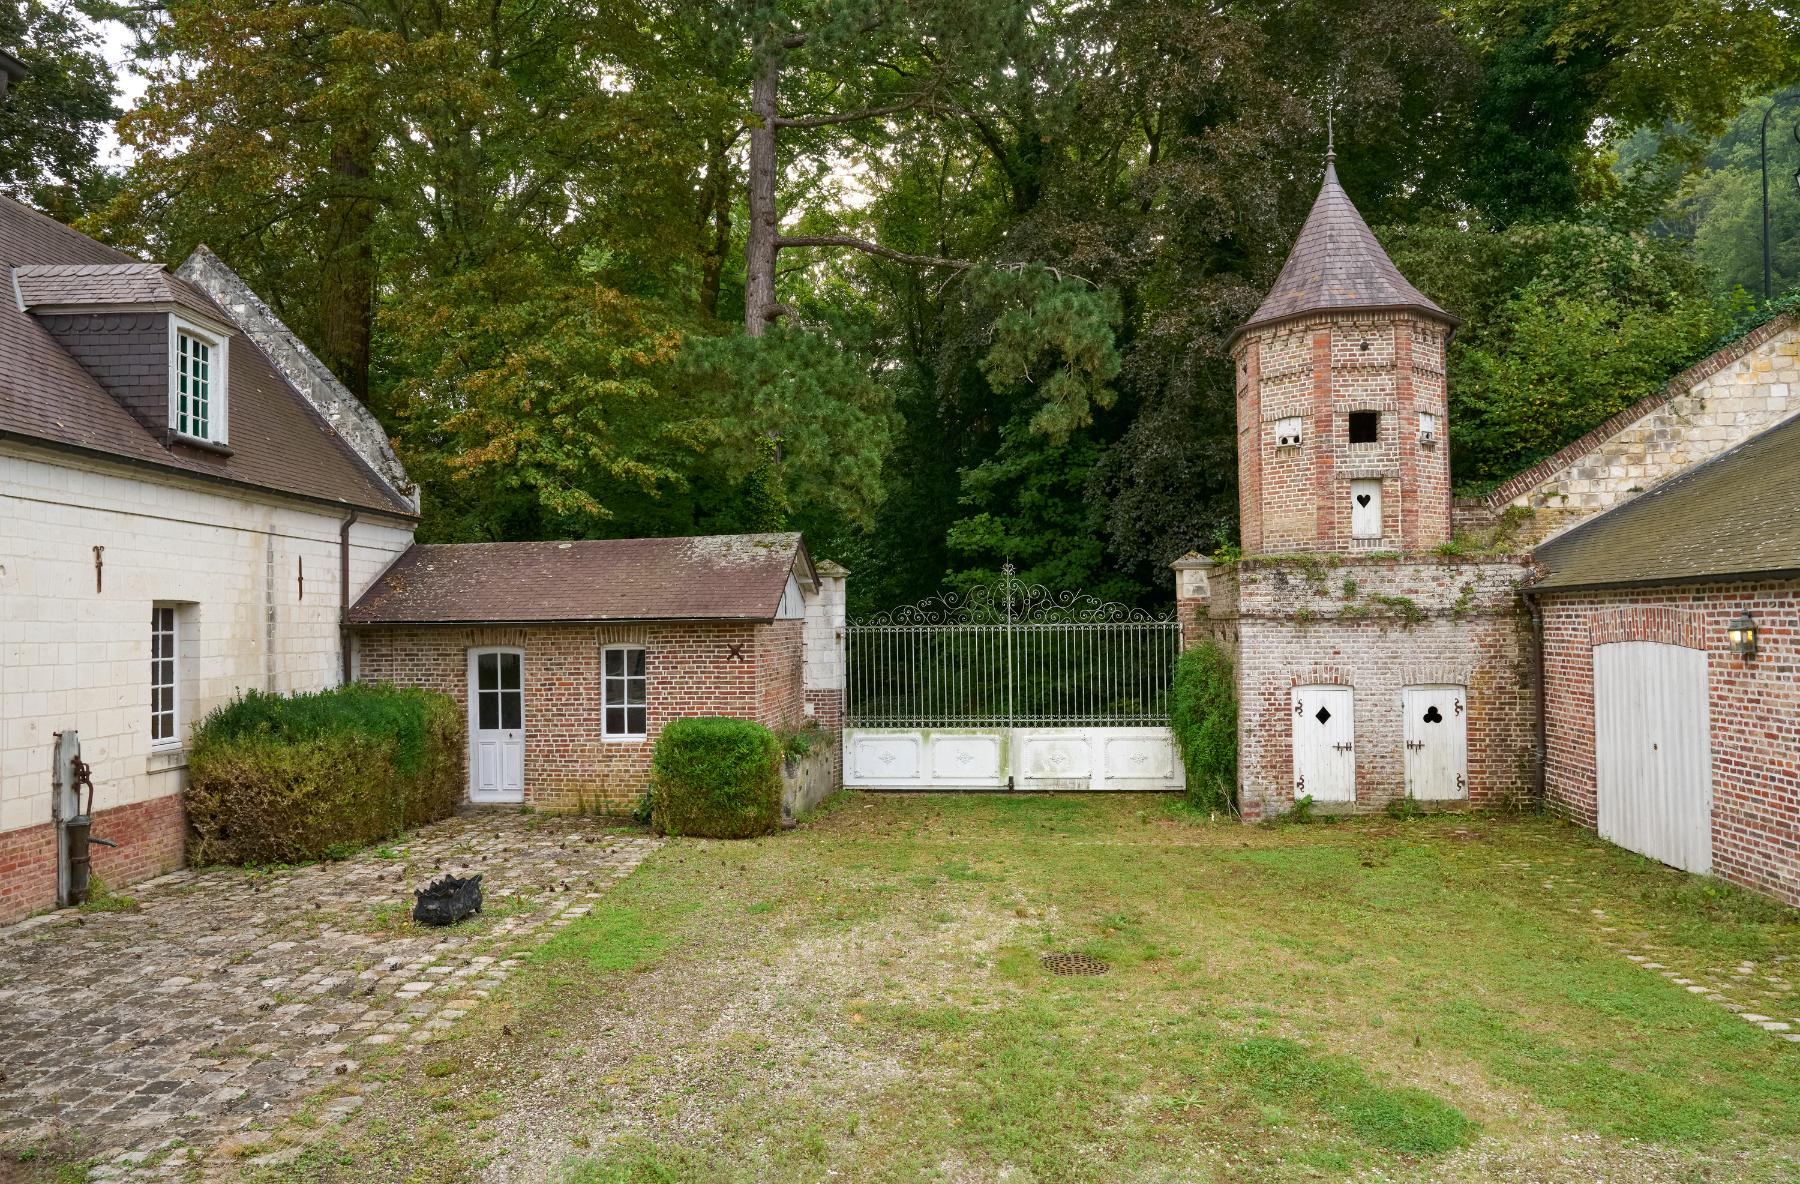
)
(715, 780)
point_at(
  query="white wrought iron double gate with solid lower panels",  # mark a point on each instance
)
(1012, 686)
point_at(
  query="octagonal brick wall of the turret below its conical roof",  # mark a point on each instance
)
(1297, 498)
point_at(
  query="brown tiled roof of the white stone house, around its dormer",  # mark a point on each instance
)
(46, 397)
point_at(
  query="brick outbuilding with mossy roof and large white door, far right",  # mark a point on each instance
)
(1664, 731)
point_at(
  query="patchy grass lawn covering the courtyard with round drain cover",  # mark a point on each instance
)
(863, 1000)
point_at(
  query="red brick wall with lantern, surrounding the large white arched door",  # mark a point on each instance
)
(1756, 713)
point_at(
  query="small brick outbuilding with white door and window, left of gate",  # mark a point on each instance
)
(570, 658)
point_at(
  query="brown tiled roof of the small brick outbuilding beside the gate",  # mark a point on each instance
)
(706, 579)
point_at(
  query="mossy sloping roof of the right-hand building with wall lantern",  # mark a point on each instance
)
(1734, 517)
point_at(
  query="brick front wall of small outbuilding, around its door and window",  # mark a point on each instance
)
(692, 670)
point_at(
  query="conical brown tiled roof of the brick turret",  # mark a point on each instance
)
(1336, 264)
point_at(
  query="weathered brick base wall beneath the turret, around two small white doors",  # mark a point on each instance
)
(1378, 627)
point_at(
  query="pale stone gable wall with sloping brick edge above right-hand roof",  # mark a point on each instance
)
(1716, 404)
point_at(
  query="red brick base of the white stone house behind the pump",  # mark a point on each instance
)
(152, 838)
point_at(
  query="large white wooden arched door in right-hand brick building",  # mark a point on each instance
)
(1653, 751)
